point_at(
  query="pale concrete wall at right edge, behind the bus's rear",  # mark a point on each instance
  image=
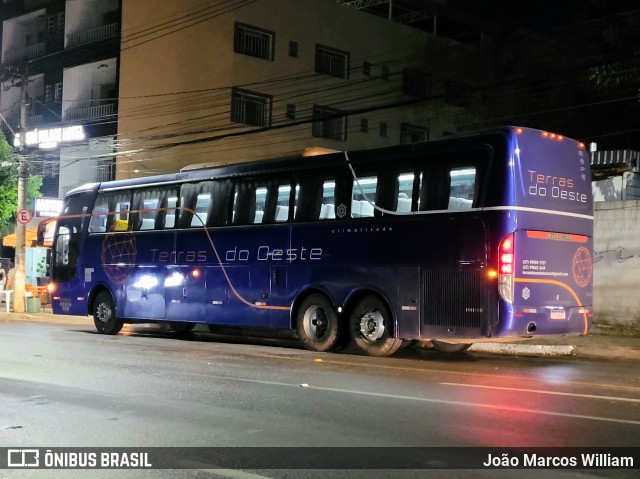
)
(616, 278)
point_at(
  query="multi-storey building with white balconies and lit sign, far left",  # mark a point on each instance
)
(65, 54)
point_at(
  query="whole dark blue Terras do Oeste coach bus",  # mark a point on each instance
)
(456, 241)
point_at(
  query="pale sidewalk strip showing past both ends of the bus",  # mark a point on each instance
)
(602, 342)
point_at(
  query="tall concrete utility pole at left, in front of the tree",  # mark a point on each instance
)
(19, 300)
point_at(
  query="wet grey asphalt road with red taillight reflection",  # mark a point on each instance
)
(67, 386)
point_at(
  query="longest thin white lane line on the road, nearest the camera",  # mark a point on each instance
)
(426, 400)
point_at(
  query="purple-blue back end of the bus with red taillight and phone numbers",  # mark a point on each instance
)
(545, 265)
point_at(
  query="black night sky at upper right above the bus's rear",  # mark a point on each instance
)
(598, 52)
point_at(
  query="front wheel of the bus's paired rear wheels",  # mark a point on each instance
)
(317, 324)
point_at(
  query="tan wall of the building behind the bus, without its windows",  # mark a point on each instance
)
(177, 69)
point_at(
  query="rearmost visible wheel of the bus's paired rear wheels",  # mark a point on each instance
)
(370, 327)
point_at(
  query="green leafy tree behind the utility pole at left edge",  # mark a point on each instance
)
(9, 186)
